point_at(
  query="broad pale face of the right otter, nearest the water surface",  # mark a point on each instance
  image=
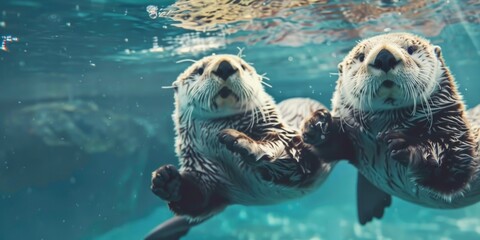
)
(390, 71)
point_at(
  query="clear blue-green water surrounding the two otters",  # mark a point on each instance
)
(85, 119)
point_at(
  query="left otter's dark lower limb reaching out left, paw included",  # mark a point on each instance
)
(186, 192)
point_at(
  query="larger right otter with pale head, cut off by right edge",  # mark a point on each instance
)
(398, 104)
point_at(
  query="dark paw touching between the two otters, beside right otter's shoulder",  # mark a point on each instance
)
(316, 128)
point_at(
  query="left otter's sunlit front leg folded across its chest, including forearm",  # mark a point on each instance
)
(252, 151)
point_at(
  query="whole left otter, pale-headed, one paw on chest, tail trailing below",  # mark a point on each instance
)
(234, 145)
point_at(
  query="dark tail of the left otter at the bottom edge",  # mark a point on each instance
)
(172, 229)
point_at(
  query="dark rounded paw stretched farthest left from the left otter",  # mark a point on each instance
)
(166, 182)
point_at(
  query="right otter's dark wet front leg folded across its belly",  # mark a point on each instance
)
(443, 168)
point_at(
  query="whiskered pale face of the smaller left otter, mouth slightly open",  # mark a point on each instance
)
(218, 86)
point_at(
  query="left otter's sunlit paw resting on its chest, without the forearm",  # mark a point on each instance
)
(238, 142)
